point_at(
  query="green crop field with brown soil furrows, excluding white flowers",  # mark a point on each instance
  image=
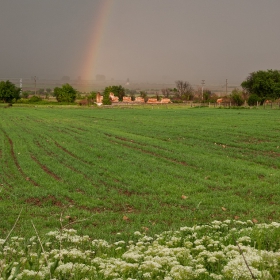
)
(151, 169)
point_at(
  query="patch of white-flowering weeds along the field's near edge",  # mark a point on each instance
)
(218, 250)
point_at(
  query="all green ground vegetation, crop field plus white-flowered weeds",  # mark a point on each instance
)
(110, 172)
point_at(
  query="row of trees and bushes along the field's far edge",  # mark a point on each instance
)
(258, 87)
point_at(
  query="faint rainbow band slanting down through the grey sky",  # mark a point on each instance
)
(99, 24)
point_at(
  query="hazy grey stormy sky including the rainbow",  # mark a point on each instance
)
(140, 40)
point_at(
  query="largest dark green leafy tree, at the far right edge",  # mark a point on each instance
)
(264, 84)
